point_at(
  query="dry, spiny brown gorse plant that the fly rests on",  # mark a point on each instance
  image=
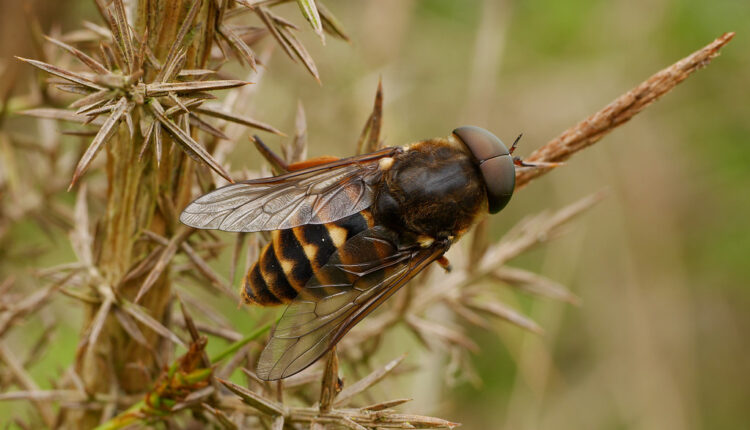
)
(143, 86)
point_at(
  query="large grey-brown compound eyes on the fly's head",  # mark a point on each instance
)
(495, 163)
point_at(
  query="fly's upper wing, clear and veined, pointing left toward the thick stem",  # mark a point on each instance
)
(316, 195)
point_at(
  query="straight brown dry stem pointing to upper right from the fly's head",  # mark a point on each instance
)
(621, 110)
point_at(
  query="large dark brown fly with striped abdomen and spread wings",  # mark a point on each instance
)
(346, 234)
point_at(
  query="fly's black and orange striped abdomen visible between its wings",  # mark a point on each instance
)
(294, 255)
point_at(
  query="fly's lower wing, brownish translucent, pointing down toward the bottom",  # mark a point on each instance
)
(363, 273)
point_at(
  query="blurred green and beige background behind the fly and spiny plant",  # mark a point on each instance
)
(662, 338)
